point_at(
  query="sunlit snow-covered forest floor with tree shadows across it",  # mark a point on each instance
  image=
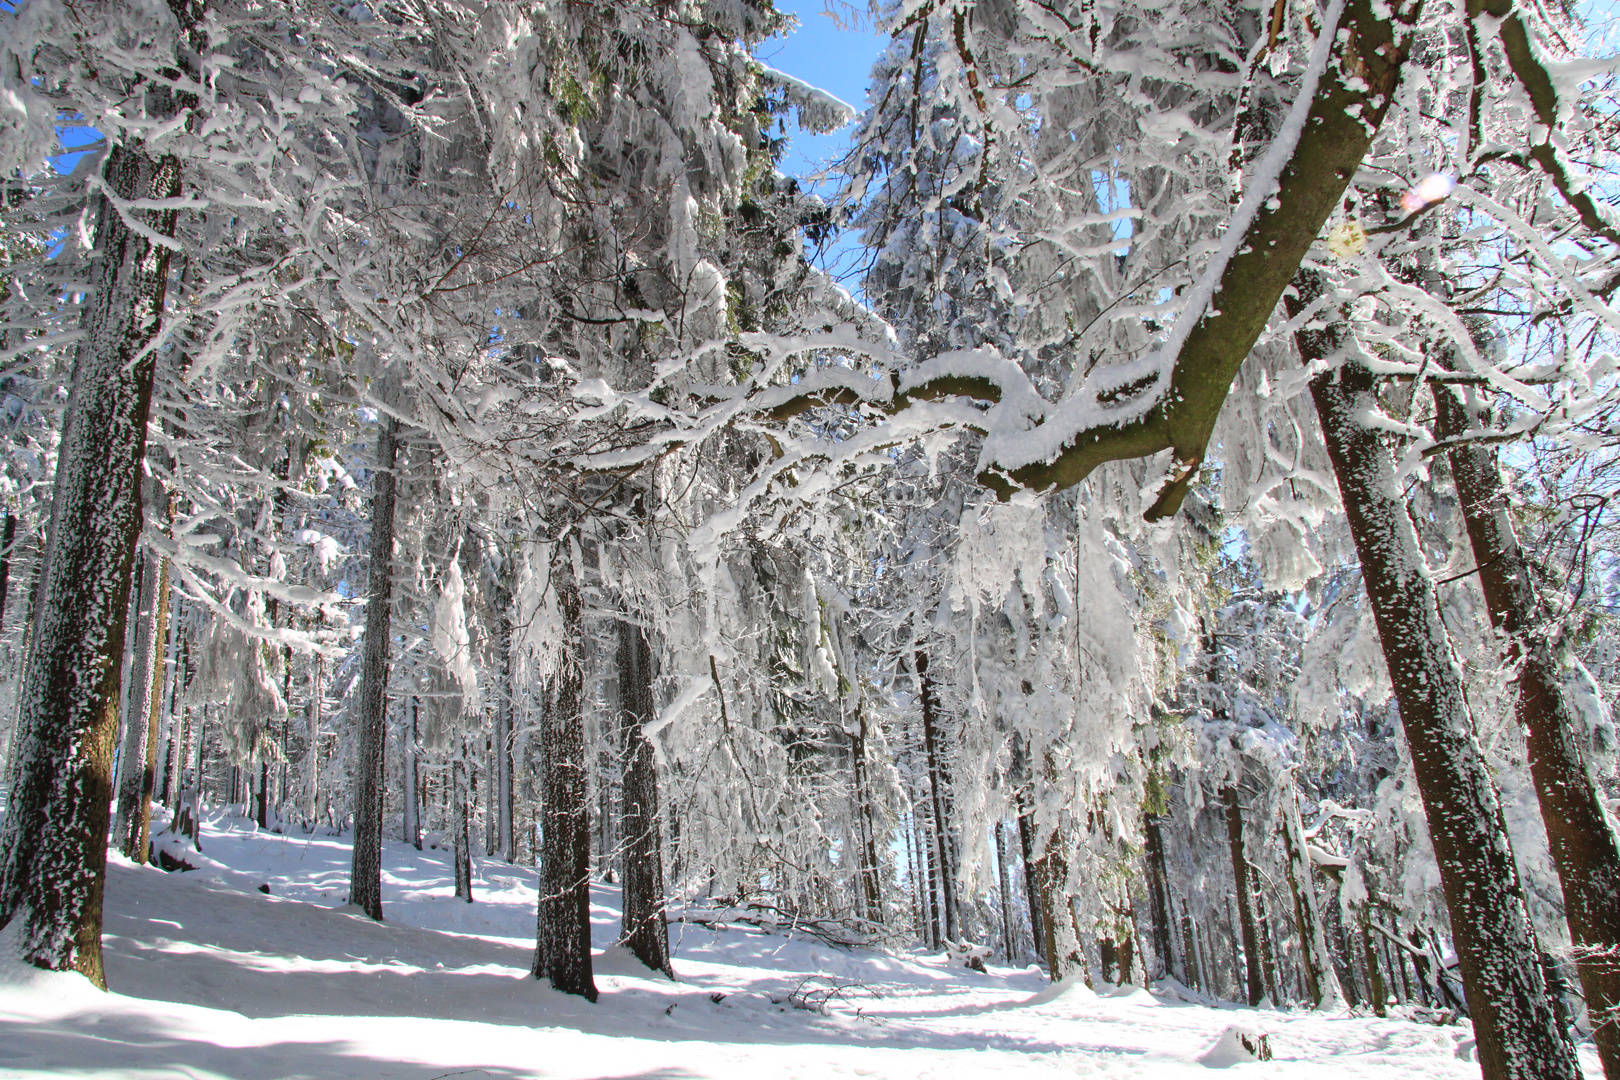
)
(215, 979)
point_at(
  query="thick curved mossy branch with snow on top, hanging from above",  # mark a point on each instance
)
(1345, 113)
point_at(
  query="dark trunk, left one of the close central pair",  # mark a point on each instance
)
(563, 942)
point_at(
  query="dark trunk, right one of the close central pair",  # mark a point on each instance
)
(646, 932)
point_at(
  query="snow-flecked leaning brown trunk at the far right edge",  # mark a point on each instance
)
(1585, 848)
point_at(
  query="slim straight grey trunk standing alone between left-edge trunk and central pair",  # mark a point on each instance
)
(365, 877)
